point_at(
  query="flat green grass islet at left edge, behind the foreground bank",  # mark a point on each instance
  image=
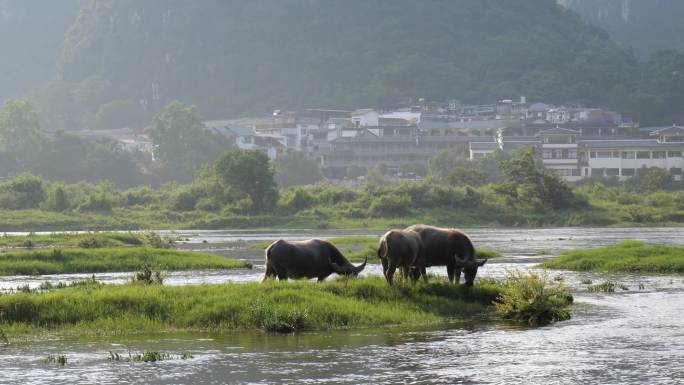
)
(78, 260)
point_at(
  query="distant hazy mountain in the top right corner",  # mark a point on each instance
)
(645, 25)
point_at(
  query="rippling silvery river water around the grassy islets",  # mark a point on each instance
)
(633, 336)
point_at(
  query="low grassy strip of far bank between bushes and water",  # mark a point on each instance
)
(597, 213)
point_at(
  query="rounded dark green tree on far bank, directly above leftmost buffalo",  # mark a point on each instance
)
(249, 173)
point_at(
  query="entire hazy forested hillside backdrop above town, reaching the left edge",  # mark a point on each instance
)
(114, 63)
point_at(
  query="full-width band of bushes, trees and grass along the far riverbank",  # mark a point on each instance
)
(239, 191)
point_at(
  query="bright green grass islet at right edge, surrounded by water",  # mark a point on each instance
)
(627, 256)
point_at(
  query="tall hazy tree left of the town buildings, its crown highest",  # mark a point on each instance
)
(181, 143)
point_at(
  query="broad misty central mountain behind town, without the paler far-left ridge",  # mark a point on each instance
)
(243, 57)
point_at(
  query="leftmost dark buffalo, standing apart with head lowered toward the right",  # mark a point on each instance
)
(314, 258)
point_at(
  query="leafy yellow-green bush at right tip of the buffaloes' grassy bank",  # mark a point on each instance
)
(531, 298)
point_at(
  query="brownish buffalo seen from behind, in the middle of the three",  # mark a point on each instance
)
(401, 248)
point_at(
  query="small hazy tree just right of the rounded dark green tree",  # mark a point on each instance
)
(295, 168)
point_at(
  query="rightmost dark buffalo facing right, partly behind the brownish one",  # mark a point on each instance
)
(450, 248)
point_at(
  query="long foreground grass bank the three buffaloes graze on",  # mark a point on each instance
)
(272, 306)
